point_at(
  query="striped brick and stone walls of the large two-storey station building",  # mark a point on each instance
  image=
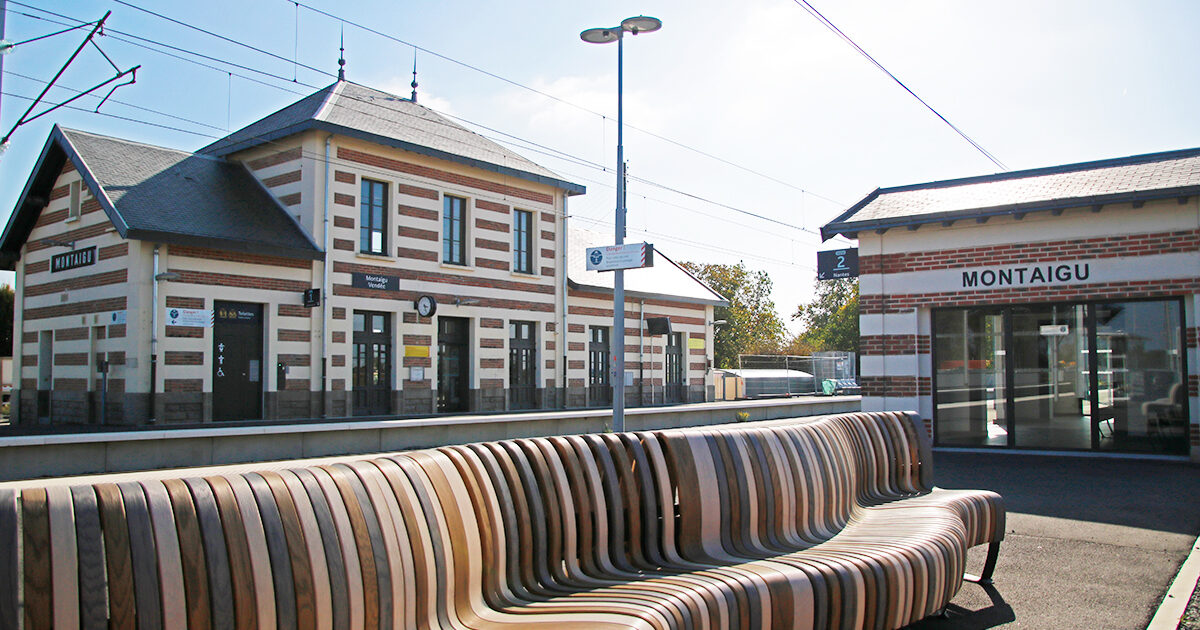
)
(119, 309)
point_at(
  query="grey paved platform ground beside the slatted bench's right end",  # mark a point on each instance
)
(1091, 543)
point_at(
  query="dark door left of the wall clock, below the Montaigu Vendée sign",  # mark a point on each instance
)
(373, 363)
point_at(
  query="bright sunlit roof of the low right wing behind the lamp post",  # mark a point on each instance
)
(664, 281)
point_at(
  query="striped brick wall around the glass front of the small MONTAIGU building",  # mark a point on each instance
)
(1130, 253)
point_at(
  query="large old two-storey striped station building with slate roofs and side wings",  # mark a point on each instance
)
(353, 254)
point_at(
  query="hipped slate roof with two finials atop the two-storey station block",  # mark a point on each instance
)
(357, 111)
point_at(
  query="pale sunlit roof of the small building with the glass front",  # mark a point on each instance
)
(1108, 182)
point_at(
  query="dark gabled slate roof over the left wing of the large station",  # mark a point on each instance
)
(161, 195)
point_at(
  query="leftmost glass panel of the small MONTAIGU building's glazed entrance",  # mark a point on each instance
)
(970, 365)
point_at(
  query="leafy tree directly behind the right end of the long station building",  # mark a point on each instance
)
(752, 326)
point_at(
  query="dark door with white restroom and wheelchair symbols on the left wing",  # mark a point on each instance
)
(237, 361)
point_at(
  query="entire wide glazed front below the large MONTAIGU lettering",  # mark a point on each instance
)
(1082, 376)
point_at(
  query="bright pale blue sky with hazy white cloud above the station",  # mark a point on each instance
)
(733, 110)
